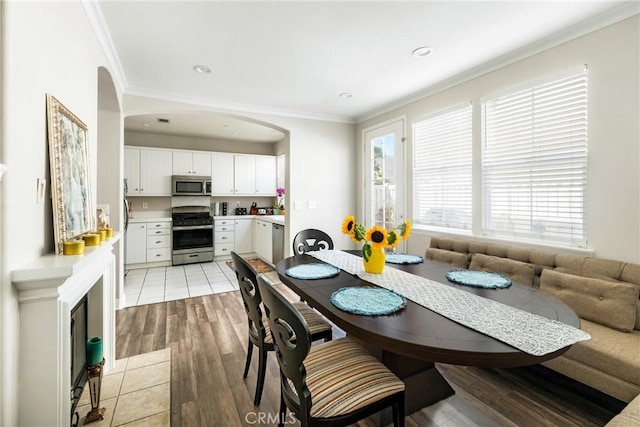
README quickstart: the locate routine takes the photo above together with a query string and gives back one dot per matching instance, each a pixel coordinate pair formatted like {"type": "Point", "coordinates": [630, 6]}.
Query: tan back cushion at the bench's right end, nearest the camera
{"type": "Point", "coordinates": [610, 304]}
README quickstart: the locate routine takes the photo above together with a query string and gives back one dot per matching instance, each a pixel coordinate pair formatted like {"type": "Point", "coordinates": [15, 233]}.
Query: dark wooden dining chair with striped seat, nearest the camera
{"type": "Point", "coordinates": [334, 383]}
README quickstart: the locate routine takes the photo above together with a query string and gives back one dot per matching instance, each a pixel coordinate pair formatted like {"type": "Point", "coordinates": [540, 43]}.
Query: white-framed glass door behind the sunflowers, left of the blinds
{"type": "Point", "coordinates": [385, 175]}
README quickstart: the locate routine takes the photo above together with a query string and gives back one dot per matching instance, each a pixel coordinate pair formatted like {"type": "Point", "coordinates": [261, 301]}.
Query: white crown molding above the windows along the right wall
{"type": "Point", "coordinates": [613, 16]}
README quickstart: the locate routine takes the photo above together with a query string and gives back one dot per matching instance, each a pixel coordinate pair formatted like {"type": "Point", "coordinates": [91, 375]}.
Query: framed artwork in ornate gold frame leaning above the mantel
{"type": "Point", "coordinates": [73, 214]}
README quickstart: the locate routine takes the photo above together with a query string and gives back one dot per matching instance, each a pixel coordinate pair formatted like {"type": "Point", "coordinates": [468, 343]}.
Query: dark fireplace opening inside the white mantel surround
{"type": "Point", "coordinates": [79, 337]}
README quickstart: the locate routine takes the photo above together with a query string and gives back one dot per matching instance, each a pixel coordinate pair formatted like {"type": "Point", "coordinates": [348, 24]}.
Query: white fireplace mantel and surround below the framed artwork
{"type": "Point", "coordinates": [48, 289]}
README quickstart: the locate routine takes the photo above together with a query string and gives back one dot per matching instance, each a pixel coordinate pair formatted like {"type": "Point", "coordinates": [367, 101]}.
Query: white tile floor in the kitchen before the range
{"type": "Point", "coordinates": [159, 284]}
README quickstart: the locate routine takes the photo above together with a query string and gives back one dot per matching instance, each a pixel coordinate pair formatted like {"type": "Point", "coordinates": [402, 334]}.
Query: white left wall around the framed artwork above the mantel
{"type": "Point", "coordinates": [48, 47]}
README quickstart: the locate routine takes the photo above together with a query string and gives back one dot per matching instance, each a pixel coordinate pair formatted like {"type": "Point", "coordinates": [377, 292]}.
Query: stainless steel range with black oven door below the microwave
{"type": "Point", "coordinates": [192, 237]}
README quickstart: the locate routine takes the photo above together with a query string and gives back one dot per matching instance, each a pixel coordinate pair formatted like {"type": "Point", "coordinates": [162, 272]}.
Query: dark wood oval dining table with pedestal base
{"type": "Point", "coordinates": [411, 340]}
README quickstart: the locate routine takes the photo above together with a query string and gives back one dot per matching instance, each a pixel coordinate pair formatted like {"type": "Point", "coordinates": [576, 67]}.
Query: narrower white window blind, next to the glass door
{"type": "Point", "coordinates": [442, 161]}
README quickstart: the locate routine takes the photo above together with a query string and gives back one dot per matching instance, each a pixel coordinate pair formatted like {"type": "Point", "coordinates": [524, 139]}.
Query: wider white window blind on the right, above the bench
{"type": "Point", "coordinates": [534, 161]}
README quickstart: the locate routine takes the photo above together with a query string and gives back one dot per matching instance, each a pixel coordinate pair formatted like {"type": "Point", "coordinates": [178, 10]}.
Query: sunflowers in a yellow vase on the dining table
{"type": "Point", "coordinates": [376, 239]}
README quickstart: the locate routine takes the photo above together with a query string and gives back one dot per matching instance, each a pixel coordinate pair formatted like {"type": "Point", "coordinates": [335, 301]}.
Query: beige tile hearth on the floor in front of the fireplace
{"type": "Point", "coordinates": [136, 392]}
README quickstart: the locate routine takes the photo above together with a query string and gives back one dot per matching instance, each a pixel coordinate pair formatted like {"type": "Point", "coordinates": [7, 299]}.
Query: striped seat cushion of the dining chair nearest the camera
{"type": "Point", "coordinates": [343, 377]}
